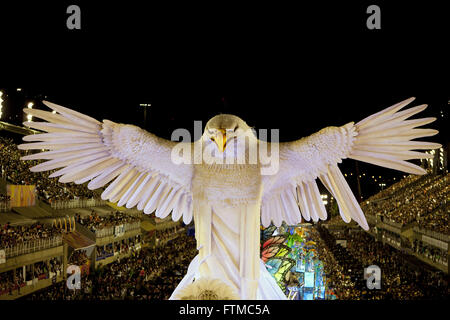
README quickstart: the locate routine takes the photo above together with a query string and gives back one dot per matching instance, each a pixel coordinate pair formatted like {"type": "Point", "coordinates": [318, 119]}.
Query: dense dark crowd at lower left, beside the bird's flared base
{"type": "Point", "coordinates": [146, 275]}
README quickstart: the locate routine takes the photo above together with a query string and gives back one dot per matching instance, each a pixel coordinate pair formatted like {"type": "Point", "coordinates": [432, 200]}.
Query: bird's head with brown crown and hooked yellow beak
{"type": "Point", "coordinates": [224, 129]}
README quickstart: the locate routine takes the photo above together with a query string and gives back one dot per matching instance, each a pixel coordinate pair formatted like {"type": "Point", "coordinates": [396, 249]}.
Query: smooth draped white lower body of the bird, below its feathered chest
{"type": "Point", "coordinates": [229, 251]}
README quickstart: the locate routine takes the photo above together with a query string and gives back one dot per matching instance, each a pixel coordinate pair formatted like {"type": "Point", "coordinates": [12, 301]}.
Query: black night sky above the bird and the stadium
{"type": "Point", "coordinates": [297, 68]}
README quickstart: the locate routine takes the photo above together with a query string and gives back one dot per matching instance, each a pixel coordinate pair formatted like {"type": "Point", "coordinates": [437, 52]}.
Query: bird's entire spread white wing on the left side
{"type": "Point", "coordinates": [137, 163]}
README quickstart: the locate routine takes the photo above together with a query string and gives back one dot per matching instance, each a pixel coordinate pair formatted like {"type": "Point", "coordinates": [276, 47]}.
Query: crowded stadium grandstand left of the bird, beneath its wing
{"type": "Point", "coordinates": [46, 227]}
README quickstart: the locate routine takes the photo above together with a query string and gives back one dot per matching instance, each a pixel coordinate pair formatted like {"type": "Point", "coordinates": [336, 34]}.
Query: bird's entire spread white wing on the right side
{"type": "Point", "coordinates": [382, 139]}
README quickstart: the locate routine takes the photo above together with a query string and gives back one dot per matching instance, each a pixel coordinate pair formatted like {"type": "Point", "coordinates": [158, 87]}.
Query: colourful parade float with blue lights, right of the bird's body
{"type": "Point", "coordinates": [290, 256]}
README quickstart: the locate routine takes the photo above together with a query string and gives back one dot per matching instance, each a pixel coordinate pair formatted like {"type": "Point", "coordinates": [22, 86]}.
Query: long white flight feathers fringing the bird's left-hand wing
{"type": "Point", "coordinates": [85, 150]}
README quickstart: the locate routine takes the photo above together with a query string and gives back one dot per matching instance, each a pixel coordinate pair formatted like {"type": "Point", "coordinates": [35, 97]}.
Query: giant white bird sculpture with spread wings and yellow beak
{"type": "Point", "coordinates": [228, 201]}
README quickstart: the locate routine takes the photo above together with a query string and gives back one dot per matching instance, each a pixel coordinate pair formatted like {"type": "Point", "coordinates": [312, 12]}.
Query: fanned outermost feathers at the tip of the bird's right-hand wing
{"type": "Point", "coordinates": [385, 138]}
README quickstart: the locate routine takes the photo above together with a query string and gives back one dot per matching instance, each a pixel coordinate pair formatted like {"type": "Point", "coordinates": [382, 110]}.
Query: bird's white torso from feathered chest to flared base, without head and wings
{"type": "Point", "coordinates": [227, 207]}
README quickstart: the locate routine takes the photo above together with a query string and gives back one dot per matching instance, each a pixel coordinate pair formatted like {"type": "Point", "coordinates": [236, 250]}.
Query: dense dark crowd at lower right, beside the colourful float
{"type": "Point", "coordinates": [400, 279]}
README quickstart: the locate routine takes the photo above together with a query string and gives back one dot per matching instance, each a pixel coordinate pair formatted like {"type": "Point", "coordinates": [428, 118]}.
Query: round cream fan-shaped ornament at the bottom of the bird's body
{"type": "Point", "coordinates": [207, 289]}
